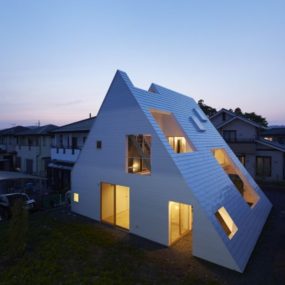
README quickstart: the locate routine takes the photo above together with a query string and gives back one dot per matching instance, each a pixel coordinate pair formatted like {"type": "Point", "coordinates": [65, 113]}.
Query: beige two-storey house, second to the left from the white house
{"type": "Point", "coordinates": [33, 150]}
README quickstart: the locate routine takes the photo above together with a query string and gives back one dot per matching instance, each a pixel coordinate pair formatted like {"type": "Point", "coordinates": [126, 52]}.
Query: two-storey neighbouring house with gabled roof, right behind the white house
{"type": "Point", "coordinates": [264, 159]}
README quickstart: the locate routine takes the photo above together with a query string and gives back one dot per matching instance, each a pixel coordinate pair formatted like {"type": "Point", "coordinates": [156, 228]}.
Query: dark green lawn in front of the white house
{"type": "Point", "coordinates": [67, 249]}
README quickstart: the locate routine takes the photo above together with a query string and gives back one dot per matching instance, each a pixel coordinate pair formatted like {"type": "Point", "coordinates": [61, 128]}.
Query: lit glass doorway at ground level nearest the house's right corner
{"type": "Point", "coordinates": [180, 220]}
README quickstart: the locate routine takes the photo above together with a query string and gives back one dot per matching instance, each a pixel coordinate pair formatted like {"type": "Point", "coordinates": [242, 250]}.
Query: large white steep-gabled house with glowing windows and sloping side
{"type": "Point", "coordinates": [154, 165]}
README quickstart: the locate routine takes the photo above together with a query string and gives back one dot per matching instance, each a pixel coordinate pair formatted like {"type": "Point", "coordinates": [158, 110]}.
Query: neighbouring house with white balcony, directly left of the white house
{"type": "Point", "coordinates": [67, 143]}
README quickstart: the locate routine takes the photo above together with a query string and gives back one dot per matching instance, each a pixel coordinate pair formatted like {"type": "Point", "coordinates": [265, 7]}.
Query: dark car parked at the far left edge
{"type": "Point", "coordinates": [8, 200]}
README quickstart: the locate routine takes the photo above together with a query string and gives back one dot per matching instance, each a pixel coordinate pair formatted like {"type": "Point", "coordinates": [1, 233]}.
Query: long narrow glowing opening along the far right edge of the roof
{"type": "Point", "coordinates": [238, 179]}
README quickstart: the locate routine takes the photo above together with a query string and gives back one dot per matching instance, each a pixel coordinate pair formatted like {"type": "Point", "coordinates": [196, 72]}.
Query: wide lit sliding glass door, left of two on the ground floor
{"type": "Point", "coordinates": [115, 205]}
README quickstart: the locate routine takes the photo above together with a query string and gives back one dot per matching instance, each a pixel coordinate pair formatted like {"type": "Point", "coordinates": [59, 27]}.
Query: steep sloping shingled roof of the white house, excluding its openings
{"type": "Point", "coordinates": [194, 169]}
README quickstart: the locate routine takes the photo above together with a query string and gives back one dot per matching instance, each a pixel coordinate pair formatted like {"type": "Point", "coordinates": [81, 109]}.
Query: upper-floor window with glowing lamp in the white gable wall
{"type": "Point", "coordinates": [139, 152]}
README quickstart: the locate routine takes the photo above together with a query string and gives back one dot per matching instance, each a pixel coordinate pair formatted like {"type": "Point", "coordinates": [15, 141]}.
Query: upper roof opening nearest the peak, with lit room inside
{"type": "Point", "coordinates": [172, 131]}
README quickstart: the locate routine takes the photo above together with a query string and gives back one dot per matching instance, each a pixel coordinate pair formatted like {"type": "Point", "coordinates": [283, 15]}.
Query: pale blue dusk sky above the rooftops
{"type": "Point", "coordinates": [57, 58]}
